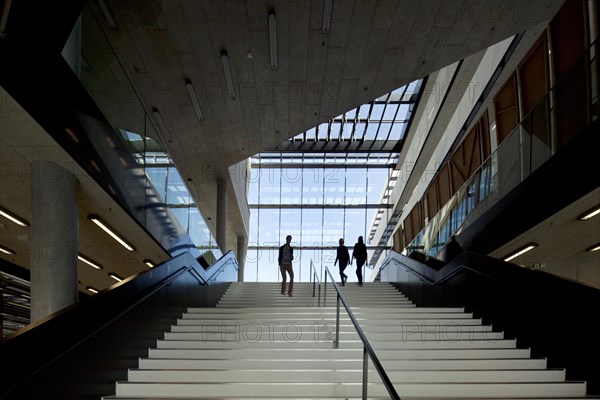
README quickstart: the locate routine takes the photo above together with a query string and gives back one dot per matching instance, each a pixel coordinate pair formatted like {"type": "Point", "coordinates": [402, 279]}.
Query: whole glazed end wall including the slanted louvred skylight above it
{"type": "Point", "coordinates": [330, 182]}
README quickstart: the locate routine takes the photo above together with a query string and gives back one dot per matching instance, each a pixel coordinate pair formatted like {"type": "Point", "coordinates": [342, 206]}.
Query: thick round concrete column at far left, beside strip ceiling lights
{"type": "Point", "coordinates": [54, 225]}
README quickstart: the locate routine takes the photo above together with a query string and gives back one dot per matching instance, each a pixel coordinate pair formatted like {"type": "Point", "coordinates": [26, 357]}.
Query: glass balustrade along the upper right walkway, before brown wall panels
{"type": "Point", "coordinates": [566, 109]}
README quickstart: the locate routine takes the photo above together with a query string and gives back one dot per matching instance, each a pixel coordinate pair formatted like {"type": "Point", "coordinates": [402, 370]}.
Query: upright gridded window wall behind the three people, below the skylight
{"type": "Point", "coordinates": [316, 201]}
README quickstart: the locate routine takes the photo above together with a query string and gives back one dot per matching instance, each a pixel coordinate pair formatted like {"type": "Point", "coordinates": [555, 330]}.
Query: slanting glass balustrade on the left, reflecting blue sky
{"type": "Point", "coordinates": [133, 151]}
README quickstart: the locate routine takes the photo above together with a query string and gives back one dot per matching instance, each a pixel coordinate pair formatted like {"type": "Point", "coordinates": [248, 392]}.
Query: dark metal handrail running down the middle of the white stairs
{"type": "Point", "coordinates": [367, 349]}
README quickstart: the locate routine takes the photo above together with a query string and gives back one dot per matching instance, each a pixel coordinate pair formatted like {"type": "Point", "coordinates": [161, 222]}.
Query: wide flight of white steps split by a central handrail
{"type": "Point", "coordinates": [259, 344]}
